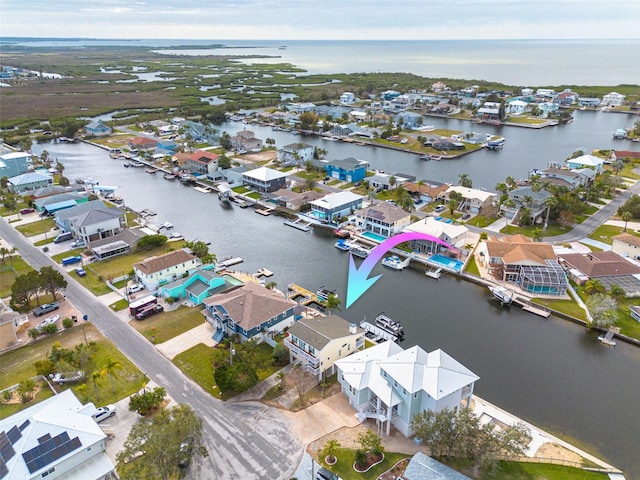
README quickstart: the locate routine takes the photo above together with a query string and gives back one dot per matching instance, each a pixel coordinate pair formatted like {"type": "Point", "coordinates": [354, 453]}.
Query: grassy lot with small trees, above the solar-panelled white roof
{"type": "Point", "coordinates": [17, 365]}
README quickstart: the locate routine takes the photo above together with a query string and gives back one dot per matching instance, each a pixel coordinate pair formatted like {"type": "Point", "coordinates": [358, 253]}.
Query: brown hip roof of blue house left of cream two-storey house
{"type": "Point", "coordinates": [251, 304]}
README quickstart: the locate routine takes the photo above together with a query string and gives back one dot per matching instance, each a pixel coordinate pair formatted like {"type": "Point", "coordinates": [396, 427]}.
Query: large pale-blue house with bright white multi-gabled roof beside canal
{"type": "Point", "coordinates": [392, 385]}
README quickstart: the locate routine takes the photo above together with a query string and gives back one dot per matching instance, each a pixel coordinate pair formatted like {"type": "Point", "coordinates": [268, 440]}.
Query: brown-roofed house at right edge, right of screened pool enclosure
{"type": "Point", "coordinates": [607, 267]}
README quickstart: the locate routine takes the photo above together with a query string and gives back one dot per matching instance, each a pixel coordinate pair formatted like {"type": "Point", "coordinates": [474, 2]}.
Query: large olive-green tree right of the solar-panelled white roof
{"type": "Point", "coordinates": [160, 440]}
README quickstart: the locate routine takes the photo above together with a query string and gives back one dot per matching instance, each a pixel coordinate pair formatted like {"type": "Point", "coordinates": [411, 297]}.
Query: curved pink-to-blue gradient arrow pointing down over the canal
{"type": "Point", "coordinates": [358, 280]}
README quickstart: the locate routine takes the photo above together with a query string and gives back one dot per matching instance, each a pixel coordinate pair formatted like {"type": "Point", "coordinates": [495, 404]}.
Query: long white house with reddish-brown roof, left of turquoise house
{"type": "Point", "coordinates": [159, 270]}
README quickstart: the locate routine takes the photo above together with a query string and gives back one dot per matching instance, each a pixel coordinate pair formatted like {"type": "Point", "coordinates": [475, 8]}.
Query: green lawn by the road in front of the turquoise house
{"type": "Point", "coordinates": [167, 325]}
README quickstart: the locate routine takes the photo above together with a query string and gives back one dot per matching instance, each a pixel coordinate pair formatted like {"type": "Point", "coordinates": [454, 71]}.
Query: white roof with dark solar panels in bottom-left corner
{"type": "Point", "coordinates": [55, 416]}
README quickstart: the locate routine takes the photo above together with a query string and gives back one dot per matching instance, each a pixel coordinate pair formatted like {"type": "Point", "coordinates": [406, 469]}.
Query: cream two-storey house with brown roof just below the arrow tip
{"type": "Point", "coordinates": [318, 342]}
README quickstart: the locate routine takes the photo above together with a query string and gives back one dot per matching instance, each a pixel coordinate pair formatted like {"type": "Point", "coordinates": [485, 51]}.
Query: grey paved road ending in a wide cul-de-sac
{"type": "Point", "coordinates": [245, 441]}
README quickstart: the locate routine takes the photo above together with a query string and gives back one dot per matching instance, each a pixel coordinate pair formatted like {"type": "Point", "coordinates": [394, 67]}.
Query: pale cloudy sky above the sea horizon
{"type": "Point", "coordinates": [322, 19]}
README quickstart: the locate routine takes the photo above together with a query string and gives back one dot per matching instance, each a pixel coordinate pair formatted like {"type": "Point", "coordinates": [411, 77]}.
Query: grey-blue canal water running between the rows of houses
{"type": "Point", "coordinates": [548, 371]}
